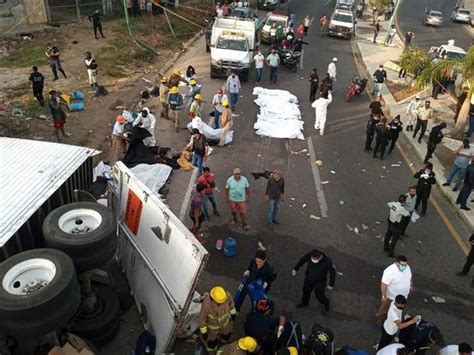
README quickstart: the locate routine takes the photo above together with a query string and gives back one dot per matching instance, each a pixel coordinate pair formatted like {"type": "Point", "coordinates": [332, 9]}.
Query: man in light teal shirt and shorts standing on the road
{"type": "Point", "coordinates": [237, 195]}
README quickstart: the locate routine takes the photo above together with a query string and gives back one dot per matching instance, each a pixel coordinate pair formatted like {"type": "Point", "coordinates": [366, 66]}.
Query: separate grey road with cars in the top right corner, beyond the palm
{"type": "Point", "coordinates": [410, 17]}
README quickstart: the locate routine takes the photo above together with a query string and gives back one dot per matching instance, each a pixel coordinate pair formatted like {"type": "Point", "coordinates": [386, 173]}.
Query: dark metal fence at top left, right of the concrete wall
{"type": "Point", "coordinates": [63, 11]}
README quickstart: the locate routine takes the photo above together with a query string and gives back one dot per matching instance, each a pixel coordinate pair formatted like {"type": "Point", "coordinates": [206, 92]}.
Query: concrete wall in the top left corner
{"type": "Point", "coordinates": [20, 13]}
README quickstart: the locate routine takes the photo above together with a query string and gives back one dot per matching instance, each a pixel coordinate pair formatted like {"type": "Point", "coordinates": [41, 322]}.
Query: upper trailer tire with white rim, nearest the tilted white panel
{"type": "Point", "coordinates": [81, 230]}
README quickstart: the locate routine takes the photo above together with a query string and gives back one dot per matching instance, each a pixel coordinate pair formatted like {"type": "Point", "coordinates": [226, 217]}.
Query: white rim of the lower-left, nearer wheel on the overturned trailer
{"type": "Point", "coordinates": [29, 276]}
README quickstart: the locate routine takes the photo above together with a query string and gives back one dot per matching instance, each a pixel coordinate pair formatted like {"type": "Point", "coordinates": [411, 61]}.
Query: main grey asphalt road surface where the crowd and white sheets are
{"type": "Point", "coordinates": [364, 185]}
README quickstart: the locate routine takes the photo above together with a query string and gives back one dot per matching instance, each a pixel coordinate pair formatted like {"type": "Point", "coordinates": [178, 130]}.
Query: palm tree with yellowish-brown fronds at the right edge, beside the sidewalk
{"type": "Point", "coordinates": [462, 69]}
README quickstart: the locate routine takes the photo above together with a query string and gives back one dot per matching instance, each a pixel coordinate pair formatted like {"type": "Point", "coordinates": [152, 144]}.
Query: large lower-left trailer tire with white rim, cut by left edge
{"type": "Point", "coordinates": [39, 292]}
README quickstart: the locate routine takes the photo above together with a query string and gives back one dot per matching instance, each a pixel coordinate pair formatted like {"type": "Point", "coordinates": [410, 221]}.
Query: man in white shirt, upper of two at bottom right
{"type": "Point", "coordinates": [396, 280]}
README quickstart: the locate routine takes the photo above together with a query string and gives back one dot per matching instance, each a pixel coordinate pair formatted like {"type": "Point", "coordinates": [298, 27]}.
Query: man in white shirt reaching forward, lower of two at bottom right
{"type": "Point", "coordinates": [394, 321]}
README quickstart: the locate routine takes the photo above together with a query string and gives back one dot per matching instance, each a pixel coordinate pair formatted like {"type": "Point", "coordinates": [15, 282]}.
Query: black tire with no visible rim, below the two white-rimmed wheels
{"type": "Point", "coordinates": [102, 324]}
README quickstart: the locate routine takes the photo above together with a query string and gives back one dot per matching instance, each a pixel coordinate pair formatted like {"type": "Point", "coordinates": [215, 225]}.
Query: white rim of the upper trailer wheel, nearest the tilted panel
{"type": "Point", "coordinates": [80, 221]}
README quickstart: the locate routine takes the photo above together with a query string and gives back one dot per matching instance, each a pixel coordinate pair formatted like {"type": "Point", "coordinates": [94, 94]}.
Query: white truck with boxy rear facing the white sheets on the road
{"type": "Point", "coordinates": [232, 45]}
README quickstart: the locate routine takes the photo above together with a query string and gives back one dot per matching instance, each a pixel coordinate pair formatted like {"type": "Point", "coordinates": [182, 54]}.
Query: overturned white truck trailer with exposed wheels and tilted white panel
{"type": "Point", "coordinates": [50, 244]}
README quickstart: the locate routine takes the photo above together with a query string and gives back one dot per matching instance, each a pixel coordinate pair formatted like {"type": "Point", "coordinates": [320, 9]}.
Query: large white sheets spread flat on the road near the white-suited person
{"type": "Point", "coordinates": [279, 116]}
